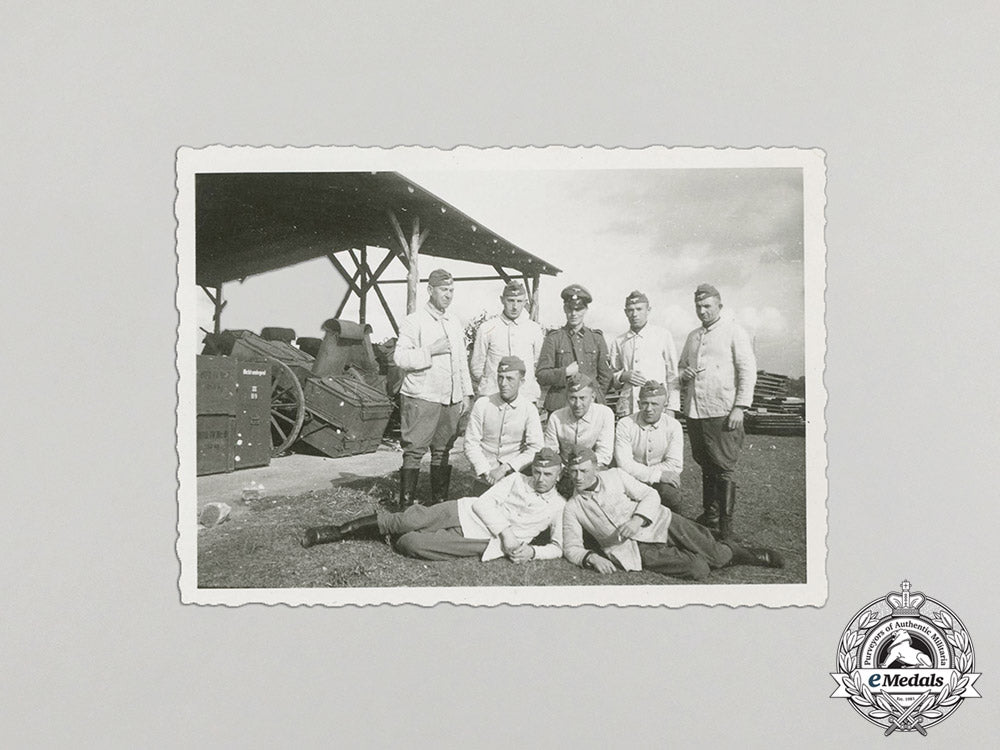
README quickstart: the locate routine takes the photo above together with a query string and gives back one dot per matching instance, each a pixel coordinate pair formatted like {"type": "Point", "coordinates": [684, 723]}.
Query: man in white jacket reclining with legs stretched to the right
{"type": "Point", "coordinates": [635, 532]}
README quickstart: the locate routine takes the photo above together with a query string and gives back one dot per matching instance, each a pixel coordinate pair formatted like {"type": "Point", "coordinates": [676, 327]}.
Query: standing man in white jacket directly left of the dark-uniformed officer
{"type": "Point", "coordinates": [511, 333]}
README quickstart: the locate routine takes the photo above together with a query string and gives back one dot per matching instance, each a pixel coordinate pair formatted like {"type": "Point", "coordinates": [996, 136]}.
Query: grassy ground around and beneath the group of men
{"type": "Point", "coordinates": [260, 548]}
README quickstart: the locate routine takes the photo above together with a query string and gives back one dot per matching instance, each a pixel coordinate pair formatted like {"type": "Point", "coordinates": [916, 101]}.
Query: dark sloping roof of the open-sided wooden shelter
{"type": "Point", "coordinates": [251, 223]}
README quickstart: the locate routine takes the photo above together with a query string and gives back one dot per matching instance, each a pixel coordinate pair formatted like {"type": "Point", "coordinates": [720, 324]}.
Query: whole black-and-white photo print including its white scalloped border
{"type": "Point", "coordinates": [549, 376]}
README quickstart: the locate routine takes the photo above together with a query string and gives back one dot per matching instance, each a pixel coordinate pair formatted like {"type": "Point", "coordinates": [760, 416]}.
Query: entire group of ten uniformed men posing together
{"type": "Point", "coordinates": [602, 492]}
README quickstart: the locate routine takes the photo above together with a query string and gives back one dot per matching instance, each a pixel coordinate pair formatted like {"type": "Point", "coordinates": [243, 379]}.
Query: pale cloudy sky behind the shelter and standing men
{"type": "Point", "coordinates": [663, 231]}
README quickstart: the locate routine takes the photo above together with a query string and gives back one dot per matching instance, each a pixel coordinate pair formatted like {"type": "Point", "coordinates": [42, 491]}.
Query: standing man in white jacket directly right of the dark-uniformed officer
{"type": "Point", "coordinates": [644, 352]}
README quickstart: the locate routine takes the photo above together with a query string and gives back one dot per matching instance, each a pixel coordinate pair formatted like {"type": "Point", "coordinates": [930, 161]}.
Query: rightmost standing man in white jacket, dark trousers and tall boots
{"type": "Point", "coordinates": [718, 372]}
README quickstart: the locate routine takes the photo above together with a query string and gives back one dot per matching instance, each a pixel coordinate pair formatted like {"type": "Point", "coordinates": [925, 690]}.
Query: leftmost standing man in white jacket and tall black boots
{"type": "Point", "coordinates": [436, 391]}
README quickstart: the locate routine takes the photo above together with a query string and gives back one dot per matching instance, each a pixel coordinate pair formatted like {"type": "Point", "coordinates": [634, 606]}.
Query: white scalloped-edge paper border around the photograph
{"type": "Point", "coordinates": [218, 158]}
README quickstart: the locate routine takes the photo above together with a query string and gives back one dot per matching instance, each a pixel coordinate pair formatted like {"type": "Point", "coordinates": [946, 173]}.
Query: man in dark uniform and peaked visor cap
{"type": "Point", "coordinates": [571, 349]}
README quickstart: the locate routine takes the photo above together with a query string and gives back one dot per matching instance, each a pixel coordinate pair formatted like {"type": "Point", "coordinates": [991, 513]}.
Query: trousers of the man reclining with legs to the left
{"type": "Point", "coordinates": [430, 533]}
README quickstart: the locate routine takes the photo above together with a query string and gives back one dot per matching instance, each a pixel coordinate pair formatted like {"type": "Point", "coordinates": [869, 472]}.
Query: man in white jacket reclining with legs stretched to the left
{"type": "Point", "coordinates": [508, 520]}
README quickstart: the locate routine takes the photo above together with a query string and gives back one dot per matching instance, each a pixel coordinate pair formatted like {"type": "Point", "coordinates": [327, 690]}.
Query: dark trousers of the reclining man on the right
{"type": "Point", "coordinates": [690, 552]}
